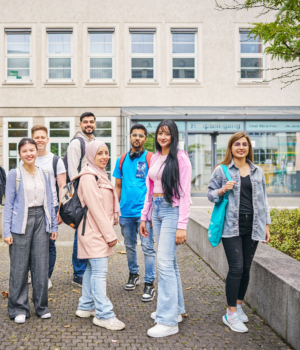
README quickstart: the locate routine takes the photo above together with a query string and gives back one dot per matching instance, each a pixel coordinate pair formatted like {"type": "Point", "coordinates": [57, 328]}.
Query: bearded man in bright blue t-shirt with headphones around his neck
{"type": "Point", "coordinates": [130, 172]}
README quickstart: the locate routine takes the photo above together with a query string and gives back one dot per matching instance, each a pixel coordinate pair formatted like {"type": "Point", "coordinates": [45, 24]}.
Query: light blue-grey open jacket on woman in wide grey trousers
{"type": "Point", "coordinates": [15, 218]}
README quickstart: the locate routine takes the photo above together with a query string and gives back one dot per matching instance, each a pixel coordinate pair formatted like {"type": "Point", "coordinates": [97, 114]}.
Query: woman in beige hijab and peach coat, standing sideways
{"type": "Point", "coordinates": [98, 194]}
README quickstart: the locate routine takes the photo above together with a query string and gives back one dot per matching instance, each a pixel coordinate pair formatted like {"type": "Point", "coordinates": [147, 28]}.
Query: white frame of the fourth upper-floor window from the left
{"type": "Point", "coordinates": [139, 55]}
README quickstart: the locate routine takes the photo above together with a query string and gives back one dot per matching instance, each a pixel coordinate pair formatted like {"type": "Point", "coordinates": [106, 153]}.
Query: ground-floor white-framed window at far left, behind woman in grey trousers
{"type": "Point", "coordinates": [14, 130]}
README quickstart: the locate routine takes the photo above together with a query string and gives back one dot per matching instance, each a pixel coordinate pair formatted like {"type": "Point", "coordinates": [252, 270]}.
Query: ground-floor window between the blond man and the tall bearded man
{"type": "Point", "coordinates": [61, 131]}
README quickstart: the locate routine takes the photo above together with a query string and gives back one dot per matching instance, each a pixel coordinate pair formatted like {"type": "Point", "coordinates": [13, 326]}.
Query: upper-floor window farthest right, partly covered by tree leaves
{"type": "Point", "coordinates": [251, 56]}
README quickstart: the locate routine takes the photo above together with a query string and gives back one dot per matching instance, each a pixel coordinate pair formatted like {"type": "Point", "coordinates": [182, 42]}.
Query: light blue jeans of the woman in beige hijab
{"type": "Point", "coordinates": [94, 289]}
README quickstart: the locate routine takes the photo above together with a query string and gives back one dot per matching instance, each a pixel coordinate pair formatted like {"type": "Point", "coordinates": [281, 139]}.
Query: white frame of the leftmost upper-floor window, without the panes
{"type": "Point", "coordinates": [7, 55]}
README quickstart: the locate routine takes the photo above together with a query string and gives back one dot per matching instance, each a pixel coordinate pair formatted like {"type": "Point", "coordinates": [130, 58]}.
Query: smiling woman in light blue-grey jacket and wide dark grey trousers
{"type": "Point", "coordinates": [29, 218]}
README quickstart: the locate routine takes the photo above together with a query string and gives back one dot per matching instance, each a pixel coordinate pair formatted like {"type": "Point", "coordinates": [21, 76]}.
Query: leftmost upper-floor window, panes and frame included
{"type": "Point", "coordinates": [18, 55]}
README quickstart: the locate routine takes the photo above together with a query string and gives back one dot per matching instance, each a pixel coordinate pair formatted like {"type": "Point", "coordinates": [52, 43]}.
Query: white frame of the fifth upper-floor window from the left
{"type": "Point", "coordinates": [185, 55]}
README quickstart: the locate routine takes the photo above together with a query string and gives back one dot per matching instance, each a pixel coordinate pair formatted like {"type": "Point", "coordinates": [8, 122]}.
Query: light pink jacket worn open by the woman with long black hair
{"type": "Point", "coordinates": [185, 175]}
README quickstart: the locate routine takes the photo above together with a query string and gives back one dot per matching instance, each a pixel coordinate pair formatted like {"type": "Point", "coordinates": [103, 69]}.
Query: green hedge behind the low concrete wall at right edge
{"type": "Point", "coordinates": [285, 231]}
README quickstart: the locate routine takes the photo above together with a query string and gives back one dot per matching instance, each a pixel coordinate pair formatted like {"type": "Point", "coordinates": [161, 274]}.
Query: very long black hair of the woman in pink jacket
{"type": "Point", "coordinates": [170, 177]}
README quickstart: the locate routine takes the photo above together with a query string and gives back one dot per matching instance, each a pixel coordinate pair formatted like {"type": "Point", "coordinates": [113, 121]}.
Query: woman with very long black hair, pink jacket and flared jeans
{"type": "Point", "coordinates": [168, 196]}
